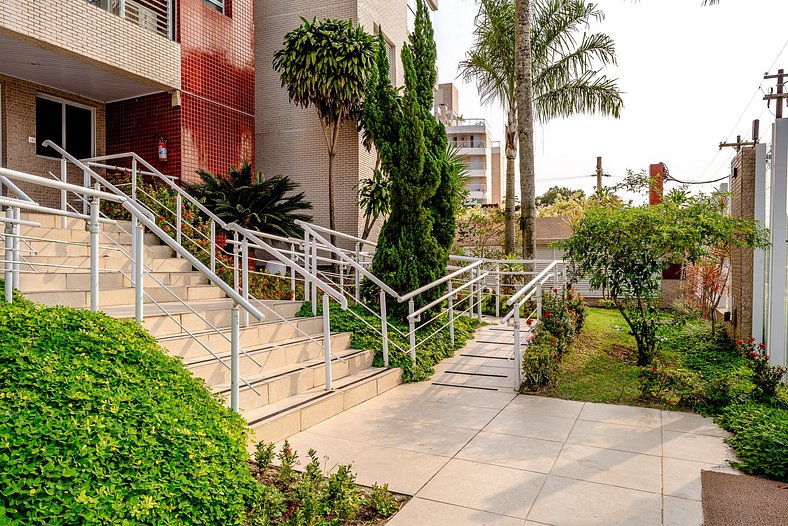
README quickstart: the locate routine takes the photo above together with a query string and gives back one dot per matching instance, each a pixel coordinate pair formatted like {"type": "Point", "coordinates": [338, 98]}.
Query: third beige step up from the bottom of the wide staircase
{"type": "Point", "coordinates": [266, 358]}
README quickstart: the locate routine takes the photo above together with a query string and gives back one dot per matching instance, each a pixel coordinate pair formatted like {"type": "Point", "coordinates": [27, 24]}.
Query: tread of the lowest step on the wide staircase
{"type": "Point", "coordinates": [301, 400]}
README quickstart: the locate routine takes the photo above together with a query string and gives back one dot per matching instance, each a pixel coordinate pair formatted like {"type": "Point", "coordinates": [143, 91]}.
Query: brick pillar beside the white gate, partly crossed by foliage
{"type": "Point", "coordinates": [742, 205]}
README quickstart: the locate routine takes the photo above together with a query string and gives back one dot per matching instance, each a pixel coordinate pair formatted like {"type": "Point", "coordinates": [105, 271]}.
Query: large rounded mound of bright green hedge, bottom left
{"type": "Point", "coordinates": [99, 426]}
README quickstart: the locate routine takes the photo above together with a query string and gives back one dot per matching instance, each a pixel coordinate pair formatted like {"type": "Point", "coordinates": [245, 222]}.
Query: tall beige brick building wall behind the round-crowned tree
{"type": "Point", "coordinates": [289, 140]}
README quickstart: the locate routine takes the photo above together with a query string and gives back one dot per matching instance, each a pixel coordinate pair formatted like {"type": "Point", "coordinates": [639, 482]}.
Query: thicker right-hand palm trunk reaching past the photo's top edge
{"type": "Point", "coordinates": [525, 126]}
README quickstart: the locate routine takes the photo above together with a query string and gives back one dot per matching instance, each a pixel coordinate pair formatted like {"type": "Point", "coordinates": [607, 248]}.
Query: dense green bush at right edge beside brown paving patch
{"type": "Point", "coordinates": [760, 438]}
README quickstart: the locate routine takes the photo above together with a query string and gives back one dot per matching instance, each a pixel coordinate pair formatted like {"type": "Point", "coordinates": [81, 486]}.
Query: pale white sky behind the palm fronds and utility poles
{"type": "Point", "coordinates": [691, 77]}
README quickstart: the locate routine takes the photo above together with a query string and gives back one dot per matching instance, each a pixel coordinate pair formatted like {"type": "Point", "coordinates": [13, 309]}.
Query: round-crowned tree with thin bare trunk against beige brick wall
{"type": "Point", "coordinates": [325, 64]}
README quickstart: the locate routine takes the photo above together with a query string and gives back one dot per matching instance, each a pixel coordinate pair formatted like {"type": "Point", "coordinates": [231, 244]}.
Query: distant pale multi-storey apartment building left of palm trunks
{"type": "Point", "coordinates": [473, 140]}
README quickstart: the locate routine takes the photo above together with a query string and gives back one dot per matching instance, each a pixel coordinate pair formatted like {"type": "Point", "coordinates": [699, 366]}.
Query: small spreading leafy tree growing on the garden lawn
{"type": "Point", "coordinates": [623, 249]}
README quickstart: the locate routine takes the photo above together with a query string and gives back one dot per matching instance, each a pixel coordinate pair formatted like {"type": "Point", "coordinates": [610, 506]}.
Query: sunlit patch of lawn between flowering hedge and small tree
{"type": "Point", "coordinates": [601, 364]}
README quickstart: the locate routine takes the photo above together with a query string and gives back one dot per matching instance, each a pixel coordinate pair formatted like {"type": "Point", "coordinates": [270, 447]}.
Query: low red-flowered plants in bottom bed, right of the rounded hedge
{"type": "Point", "coordinates": [305, 494]}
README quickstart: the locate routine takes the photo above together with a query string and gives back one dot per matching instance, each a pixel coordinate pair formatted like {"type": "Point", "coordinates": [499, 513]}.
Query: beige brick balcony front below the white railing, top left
{"type": "Point", "coordinates": [90, 34]}
